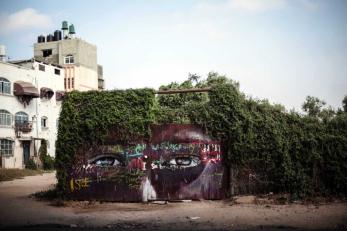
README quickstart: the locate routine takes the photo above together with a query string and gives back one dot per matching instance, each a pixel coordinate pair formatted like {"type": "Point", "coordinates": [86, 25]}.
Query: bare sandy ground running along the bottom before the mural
{"type": "Point", "coordinates": [17, 208]}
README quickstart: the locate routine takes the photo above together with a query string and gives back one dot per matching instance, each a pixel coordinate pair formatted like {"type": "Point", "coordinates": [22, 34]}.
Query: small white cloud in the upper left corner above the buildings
{"type": "Point", "coordinates": [24, 19]}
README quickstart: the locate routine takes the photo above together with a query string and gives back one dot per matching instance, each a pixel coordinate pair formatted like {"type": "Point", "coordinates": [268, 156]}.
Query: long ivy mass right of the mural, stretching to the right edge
{"type": "Point", "coordinates": [267, 147]}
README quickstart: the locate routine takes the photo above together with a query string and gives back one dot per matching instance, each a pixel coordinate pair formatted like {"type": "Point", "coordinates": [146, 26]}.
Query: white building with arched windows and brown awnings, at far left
{"type": "Point", "coordinates": [31, 94]}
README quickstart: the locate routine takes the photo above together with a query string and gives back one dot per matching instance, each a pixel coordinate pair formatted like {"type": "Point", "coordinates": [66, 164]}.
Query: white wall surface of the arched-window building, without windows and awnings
{"type": "Point", "coordinates": [35, 110]}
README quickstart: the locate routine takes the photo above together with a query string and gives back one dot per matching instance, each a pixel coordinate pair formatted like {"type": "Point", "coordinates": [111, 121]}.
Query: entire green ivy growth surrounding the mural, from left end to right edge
{"type": "Point", "coordinates": [268, 149]}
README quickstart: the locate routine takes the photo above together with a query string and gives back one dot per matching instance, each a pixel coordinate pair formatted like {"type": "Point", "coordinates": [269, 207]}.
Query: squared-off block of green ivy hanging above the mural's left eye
{"type": "Point", "coordinates": [87, 117]}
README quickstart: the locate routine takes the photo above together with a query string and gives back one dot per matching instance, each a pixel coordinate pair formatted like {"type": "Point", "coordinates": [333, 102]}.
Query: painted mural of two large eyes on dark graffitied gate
{"type": "Point", "coordinates": [178, 162]}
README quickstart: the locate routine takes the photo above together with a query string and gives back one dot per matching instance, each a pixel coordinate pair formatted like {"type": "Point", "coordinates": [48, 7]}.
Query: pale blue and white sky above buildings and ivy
{"type": "Point", "coordinates": [280, 50]}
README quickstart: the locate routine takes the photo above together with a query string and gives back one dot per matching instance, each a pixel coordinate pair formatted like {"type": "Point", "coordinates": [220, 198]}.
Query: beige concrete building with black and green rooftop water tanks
{"type": "Point", "coordinates": [76, 56]}
